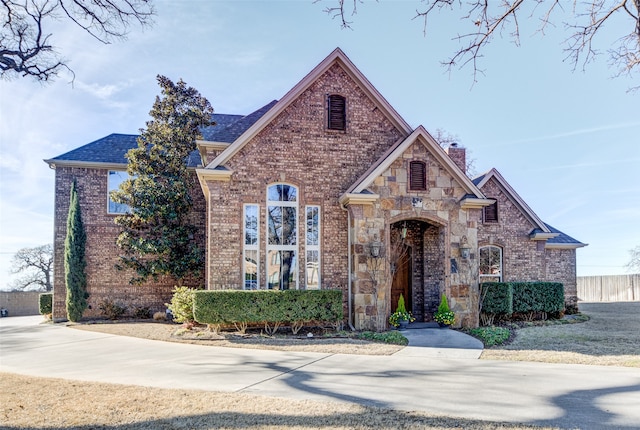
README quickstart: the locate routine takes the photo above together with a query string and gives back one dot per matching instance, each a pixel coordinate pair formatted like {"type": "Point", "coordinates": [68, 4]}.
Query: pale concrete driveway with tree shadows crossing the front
{"type": "Point", "coordinates": [568, 396]}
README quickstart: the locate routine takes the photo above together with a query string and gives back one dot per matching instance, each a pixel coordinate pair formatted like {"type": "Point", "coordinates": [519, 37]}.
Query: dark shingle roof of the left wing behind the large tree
{"type": "Point", "coordinates": [113, 148]}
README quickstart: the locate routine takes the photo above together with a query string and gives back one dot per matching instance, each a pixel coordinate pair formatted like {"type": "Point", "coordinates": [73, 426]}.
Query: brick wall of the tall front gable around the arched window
{"type": "Point", "coordinates": [297, 149]}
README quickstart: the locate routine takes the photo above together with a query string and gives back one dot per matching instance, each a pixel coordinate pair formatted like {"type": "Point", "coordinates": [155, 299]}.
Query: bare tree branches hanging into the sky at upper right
{"type": "Point", "coordinates": [481, 20]}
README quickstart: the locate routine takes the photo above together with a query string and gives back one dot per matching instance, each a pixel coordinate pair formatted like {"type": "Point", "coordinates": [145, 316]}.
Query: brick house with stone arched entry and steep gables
{"type": "Point", "coordinates": [327, 187]}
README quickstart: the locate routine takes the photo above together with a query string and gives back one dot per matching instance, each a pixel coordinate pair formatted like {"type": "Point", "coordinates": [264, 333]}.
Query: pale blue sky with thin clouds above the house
{"type": "Point", "coordinates": [568, 142]}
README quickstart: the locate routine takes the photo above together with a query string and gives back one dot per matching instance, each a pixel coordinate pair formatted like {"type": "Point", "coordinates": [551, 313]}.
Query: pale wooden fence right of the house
{"type": "Point", "coordinates": [614, 288]}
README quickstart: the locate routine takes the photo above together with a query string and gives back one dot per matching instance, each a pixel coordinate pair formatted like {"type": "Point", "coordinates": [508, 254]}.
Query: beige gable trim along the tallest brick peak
{"type": "Point", "coordinates": [336, 57]}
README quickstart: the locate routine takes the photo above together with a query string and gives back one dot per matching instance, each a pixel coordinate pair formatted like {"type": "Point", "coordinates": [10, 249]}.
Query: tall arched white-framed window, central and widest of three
{"type": "Point", "coordinates": [282, 237]}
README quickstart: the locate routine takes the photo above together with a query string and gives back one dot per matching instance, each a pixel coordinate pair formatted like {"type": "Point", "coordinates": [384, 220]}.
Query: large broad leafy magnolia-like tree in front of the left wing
{"type": "Point", "coordinates": [157, 238]}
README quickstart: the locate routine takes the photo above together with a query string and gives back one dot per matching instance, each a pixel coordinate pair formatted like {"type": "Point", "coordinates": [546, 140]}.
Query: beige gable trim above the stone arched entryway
{"type": "Point", "coordinates": [420, 134]}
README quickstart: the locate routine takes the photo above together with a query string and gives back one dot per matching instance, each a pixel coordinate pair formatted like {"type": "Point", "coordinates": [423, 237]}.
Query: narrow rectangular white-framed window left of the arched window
{"type": "Point", "coordinates": [250, 251]}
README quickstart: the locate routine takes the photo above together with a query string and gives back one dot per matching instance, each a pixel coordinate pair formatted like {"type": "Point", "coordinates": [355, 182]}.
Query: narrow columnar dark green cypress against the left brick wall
{"type": "Point", "coordinates": [74, 260]}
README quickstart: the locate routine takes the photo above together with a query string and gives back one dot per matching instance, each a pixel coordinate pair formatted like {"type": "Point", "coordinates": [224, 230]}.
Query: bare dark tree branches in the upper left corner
{"type": "Point", "coordinates": [26, 48]}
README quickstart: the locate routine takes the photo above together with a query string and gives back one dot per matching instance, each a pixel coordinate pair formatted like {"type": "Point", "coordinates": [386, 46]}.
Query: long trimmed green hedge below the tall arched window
{"type": "Point", "coordinates": [267, 306]}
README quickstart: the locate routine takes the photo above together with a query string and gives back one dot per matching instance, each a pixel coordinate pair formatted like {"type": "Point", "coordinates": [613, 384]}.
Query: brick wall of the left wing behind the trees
{"type": "Point", "coordinates": [103, 280]}
